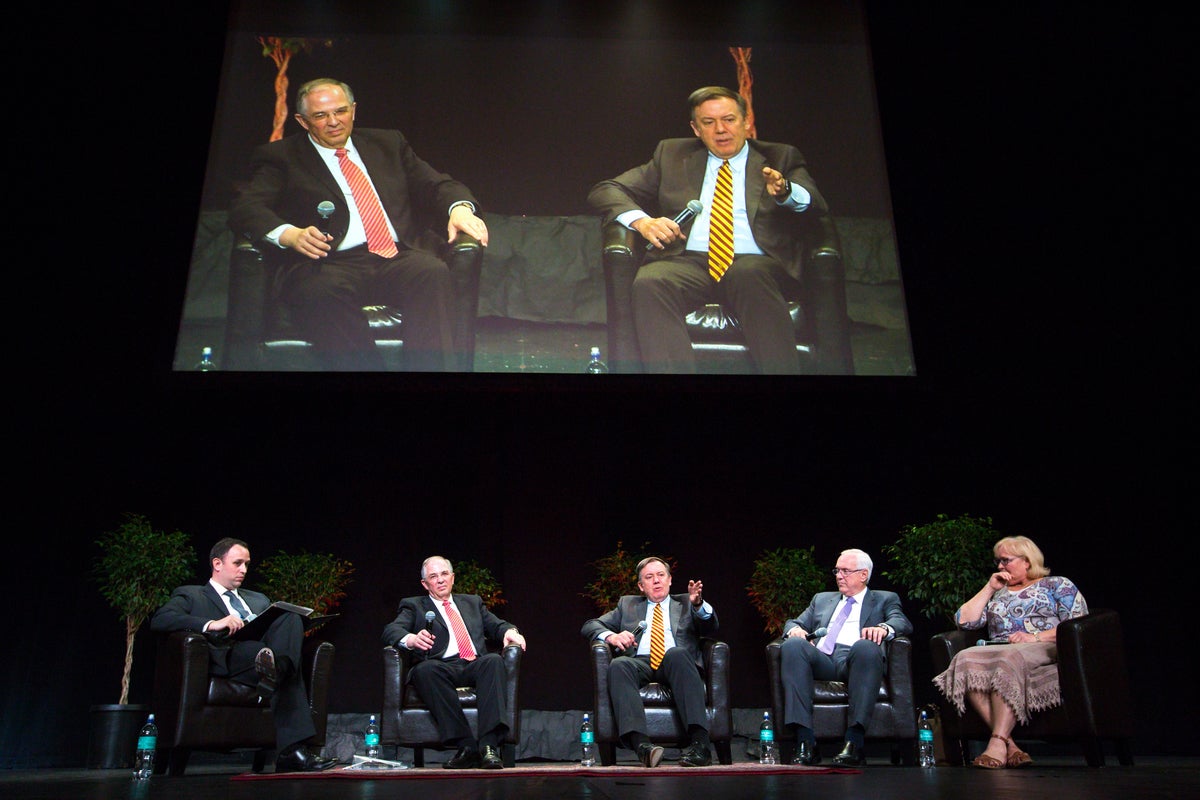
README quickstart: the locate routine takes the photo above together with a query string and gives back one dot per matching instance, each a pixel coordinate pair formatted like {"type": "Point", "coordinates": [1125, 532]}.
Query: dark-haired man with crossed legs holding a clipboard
{"type": "Point", "coordinates": [219, 610]}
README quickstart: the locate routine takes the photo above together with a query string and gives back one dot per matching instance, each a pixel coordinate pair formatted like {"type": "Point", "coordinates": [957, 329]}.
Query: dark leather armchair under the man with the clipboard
{"type": "Point", "coordinates": [196, 711]}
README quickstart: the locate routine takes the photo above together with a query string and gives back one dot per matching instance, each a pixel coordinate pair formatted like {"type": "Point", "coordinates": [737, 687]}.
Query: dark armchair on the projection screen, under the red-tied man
{"type": "Point", "coordinates": [260, 334]}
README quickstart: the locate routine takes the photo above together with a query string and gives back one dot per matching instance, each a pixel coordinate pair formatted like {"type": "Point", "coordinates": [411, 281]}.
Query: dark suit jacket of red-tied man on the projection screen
{"type": "Point", "coordinates": [290, 181]}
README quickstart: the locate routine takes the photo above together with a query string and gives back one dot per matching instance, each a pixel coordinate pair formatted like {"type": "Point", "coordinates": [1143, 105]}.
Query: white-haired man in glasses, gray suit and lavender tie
{"type": "Point", "coordinates": [856, 623]}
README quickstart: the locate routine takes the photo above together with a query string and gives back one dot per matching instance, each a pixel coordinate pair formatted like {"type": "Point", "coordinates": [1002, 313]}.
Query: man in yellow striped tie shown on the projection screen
{"type": "Point", "coordinates": [775, 196]}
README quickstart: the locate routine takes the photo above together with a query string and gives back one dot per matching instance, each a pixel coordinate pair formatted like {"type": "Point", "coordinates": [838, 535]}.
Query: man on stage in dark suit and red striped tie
{"type": "Point", "coordinates": [451, 651]}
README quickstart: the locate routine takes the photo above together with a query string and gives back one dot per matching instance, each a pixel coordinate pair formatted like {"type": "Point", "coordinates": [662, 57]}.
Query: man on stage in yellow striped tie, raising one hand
{"type": "Point", "coordinates": [674, 659]}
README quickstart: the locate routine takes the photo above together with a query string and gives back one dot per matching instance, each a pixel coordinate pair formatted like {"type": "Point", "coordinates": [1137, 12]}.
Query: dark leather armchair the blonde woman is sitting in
{"type": "Point", "coordinates": [1095, 683]}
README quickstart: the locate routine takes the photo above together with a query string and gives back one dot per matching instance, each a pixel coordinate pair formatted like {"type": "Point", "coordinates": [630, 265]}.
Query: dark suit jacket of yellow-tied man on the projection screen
{"type": "Point", "coordinates": [675, 176]}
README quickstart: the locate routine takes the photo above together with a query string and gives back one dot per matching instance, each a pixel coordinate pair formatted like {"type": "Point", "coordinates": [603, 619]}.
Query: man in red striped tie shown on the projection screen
{"type": "Point", "coordinates": [326, 270]}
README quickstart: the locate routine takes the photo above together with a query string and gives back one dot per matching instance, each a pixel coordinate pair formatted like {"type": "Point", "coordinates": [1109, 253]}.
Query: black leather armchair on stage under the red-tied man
{"type": "Point", "coordinates": [409, 723]}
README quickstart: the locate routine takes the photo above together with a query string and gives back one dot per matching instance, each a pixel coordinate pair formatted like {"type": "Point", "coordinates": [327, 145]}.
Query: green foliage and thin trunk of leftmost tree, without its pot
{"type": "Point", "coordinates": [137, 570]}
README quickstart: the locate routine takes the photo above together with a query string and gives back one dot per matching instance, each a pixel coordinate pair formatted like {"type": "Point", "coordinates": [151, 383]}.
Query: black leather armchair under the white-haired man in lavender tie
{"type": "Point", "coordinates": [896, 714]}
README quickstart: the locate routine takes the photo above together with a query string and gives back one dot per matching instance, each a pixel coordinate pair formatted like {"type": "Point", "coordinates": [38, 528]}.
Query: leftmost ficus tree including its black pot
{"type": "Point", "coordinates": [136, 572]}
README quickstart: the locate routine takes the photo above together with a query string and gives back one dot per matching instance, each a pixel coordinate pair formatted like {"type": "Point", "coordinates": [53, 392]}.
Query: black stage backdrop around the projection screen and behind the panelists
{"type": "Point", "coordinates": [1027, 154]}
